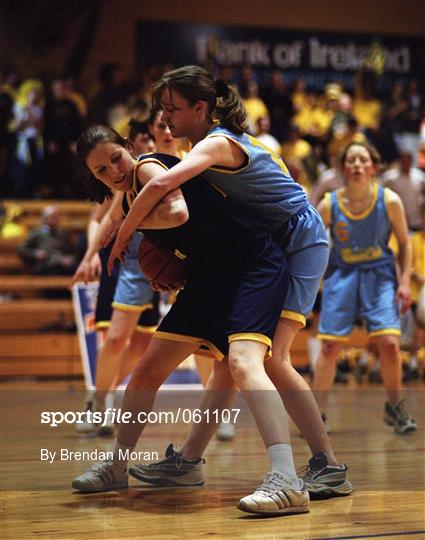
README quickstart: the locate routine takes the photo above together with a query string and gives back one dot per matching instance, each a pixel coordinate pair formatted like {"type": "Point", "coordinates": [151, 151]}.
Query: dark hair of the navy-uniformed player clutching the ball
{"type": "Point", "coordinates": [87, 141]}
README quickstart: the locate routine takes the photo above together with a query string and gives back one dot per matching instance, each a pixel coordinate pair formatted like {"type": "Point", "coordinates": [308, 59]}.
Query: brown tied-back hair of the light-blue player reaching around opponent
{"type": "Point", "coordinates": [197, 84]}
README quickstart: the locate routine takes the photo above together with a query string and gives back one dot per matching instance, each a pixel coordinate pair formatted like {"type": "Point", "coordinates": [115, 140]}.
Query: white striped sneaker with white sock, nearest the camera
{"type": "Point", "coordinates": [275, 497]}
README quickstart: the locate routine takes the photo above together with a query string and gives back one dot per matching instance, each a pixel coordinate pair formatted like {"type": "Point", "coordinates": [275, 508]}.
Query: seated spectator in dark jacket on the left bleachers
{"type": "Point", "coordinates": [48, 250]}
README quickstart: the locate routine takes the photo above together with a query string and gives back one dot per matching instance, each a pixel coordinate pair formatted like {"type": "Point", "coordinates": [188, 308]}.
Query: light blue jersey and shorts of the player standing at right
{"type": "Point", "coordinates": [361, 279]}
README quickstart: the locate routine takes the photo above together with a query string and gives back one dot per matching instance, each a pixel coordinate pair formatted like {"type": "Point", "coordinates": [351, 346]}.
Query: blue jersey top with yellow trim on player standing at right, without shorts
{"type": "Point", "coordinates": [360, 239]}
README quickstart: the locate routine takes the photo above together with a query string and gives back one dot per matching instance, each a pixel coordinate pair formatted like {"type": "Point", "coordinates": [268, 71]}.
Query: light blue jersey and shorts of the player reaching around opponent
{"type": "Point", "coordinates": [264, 188]}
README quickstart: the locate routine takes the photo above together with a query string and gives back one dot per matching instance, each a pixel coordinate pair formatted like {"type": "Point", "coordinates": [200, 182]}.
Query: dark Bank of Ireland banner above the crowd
{"type": "Point", "coordinates": [318, 57]}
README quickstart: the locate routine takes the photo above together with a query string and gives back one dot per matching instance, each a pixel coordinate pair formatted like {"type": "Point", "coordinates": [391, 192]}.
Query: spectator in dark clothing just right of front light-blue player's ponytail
{"type": "Point", "coordinates": [279, 104]}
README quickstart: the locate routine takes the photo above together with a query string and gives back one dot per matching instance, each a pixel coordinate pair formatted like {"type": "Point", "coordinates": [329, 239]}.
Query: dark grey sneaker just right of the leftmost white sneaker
{"type": "Point", "coordinates": [174, 470]}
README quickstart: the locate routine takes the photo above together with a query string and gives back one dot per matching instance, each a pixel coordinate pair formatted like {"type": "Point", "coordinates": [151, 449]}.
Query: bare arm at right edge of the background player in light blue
{"type": "Point", "coordinates": [398, 222]}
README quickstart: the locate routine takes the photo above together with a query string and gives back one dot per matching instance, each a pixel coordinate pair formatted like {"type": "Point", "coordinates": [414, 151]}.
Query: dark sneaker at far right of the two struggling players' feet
{"type": "Point", "coordinates": [323, 480]}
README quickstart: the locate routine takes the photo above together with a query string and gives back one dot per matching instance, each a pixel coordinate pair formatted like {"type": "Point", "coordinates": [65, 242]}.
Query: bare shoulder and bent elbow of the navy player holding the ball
{"type": "Point", "coordinates": [171, 211]}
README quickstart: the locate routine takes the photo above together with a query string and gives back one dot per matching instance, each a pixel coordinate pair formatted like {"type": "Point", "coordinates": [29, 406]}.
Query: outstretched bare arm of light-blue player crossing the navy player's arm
{"type": "Point", "coordinates": [203, 155]}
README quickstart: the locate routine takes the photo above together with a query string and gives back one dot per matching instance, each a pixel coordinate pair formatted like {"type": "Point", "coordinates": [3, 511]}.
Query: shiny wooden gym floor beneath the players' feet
{"type": "Point", "coordinates": [387, 471]}
